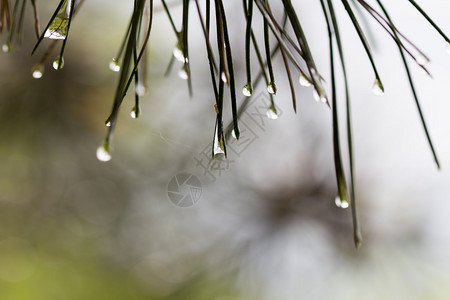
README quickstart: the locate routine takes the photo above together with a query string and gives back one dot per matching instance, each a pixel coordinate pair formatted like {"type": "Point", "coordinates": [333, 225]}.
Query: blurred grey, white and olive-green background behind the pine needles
{"type": "Point", "coordinates": [265, 225]}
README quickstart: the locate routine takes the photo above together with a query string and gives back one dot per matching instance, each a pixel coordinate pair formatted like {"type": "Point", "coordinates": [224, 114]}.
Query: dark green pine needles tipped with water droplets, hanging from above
{"type": "Point", "coordinates": [282, 34]}
